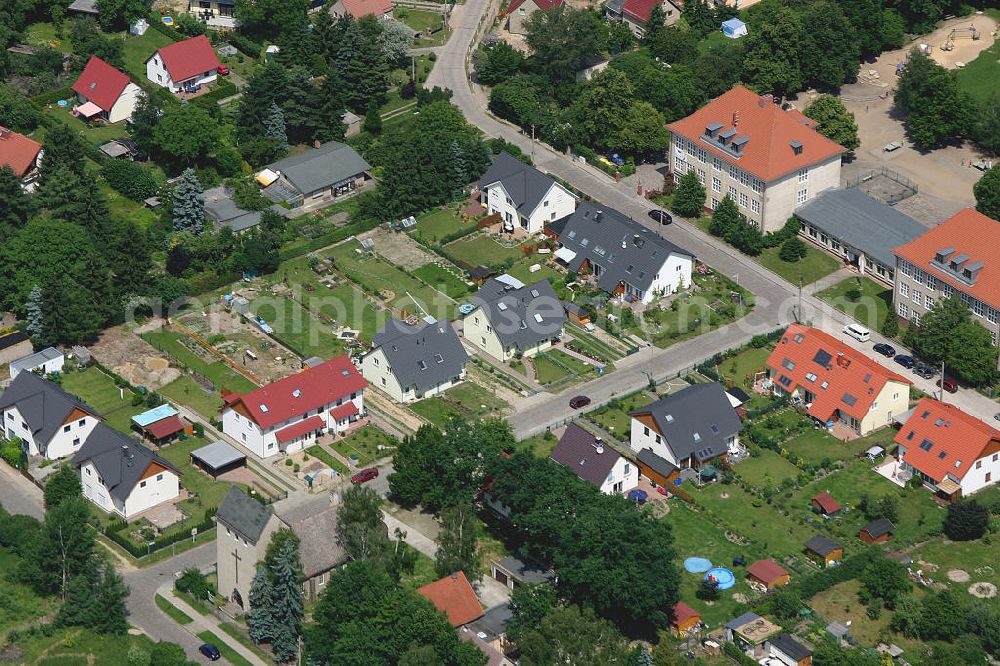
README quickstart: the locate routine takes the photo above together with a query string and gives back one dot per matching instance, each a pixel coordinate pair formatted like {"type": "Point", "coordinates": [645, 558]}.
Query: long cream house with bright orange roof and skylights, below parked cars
{"type": "Point", "coordinates": [836, 383]}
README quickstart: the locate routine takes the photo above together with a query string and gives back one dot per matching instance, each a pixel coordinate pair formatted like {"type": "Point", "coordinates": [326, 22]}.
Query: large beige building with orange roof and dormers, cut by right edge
{"type": "Point", "coordinates": [959, 256]}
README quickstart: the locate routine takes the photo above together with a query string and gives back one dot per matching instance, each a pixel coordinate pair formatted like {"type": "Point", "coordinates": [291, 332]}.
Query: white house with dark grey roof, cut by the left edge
{"type": "Point", "coordinates": [51, 422]}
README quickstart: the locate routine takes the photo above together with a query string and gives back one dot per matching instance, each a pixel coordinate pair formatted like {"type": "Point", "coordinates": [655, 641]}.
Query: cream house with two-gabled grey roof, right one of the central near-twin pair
{"type": "Point", "coordinates": [511, 319]}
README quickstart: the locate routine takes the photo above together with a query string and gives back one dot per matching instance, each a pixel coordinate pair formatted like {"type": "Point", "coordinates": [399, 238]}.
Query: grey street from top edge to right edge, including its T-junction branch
{"type": "Point", "coordinates": [777, 300]}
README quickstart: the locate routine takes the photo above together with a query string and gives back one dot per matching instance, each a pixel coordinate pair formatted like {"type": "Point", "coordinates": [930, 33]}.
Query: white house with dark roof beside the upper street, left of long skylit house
{"type": "Point", "coordinates": [524, 197]}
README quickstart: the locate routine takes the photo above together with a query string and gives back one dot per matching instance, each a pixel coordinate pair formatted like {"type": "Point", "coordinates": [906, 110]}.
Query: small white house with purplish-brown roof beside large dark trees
{"type": "Point", "coordinates": [593, 461]}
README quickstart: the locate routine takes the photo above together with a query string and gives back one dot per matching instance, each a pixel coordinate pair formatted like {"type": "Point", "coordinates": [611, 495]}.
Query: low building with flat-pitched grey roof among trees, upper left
{"type": "Point", "coordinates": [326, 173]}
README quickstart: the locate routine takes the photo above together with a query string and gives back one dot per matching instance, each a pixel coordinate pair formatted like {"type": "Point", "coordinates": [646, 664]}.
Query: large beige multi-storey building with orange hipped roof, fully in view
{"type": "Point", "coordinates": [768, 160]}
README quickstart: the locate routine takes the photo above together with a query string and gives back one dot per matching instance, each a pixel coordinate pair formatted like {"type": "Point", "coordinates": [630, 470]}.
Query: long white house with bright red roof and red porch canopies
{"type": "Point", "coordinates": [288, 415]}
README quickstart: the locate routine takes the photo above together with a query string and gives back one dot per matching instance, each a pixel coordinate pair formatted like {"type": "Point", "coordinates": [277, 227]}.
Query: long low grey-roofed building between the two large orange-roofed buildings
{"type": "Point", "coordinates": [858, 230]}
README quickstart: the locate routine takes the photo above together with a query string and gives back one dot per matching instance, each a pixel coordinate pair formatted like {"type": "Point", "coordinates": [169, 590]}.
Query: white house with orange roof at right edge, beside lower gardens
{"type": "Point", "coordinates": [954, 452]}
